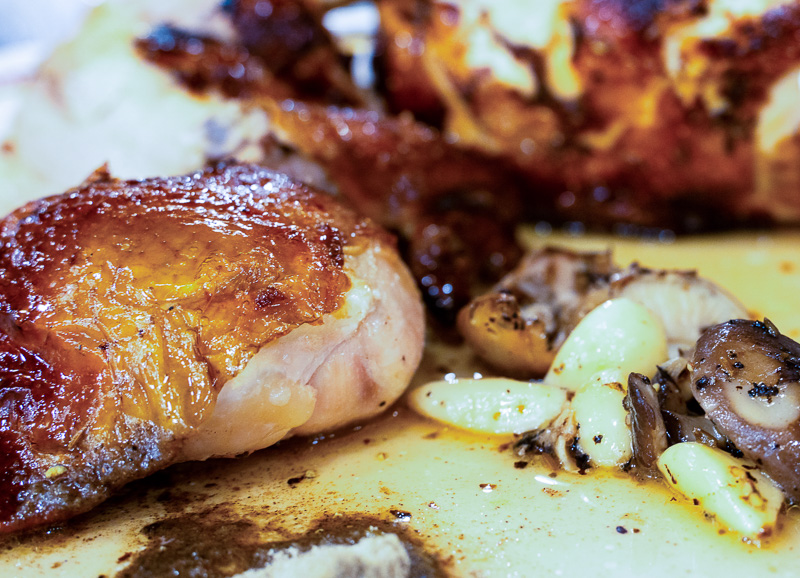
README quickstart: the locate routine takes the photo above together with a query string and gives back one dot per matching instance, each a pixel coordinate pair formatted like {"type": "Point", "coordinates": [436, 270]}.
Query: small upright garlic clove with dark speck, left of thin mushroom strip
{"type": "Point", "coordinates": [604, 433]}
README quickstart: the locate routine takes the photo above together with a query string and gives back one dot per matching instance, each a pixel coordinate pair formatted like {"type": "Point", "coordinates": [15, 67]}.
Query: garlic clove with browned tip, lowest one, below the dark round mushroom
{"type": "Point", "coordinates": [730, 489]}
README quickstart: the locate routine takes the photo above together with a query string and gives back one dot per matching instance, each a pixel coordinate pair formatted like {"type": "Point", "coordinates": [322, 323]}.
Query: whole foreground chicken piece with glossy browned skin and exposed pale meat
{"type": "Point", "coordinates": [148, 322]}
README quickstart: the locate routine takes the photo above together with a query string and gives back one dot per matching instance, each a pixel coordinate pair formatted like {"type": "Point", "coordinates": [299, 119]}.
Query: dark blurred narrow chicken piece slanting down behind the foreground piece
{"type": "Point", "coordinates": [397, 171]}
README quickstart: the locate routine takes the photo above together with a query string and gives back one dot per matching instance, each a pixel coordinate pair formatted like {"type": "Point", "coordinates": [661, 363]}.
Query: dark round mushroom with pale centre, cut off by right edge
{"type": "Point", "coordinates": [745, 377]}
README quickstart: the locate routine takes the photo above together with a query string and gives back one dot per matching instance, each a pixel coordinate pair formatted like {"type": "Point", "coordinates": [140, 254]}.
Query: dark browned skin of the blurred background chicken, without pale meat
{"type": "Point", "coordinates": [628, 149]}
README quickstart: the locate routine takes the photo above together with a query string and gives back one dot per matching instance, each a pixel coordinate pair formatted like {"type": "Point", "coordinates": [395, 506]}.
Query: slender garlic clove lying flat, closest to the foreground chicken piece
{"type": "Point", "coordinates": [494, 406]}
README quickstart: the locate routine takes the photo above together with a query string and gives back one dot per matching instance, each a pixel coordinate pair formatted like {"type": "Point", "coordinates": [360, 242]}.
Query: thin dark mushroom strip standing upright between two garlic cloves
{"type": "Point", "coordinates": [649, 432]}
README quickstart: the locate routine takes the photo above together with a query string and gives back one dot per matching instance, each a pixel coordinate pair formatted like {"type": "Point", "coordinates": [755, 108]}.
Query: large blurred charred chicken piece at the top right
{"type": "Point", "coordinates": [613, 110]}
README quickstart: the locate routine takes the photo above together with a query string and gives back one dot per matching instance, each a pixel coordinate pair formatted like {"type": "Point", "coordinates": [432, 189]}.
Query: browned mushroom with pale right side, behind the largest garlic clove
{"type": "Point", "coordinates": [521, 324]}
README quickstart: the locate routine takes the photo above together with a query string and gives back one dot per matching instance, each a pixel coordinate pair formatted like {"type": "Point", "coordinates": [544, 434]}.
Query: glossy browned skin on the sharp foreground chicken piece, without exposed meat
{"type": "Point", "coordinates": [126, 306]}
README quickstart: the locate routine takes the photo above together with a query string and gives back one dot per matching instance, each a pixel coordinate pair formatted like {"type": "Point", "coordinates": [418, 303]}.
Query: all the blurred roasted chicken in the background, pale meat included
{"type": "Point", "coordinates": [622, 115]}
